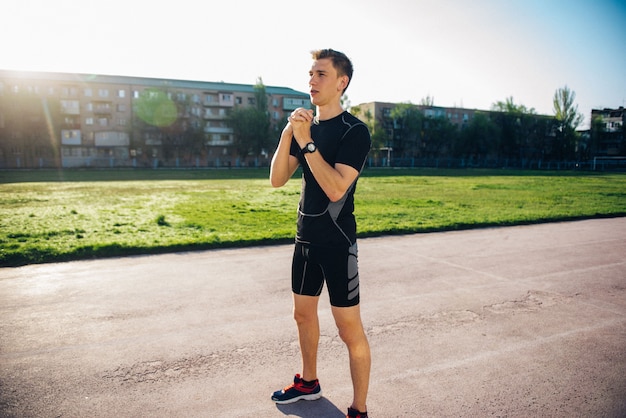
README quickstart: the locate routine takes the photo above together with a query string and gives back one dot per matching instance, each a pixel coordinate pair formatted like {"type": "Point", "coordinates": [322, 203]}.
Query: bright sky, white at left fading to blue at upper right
{"type": "Point", "coordinates": [461, 53]}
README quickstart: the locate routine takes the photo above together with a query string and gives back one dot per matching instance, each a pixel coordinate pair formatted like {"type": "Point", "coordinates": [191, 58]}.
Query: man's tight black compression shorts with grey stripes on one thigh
{"type": "Point", "coordinates": [338, 267]}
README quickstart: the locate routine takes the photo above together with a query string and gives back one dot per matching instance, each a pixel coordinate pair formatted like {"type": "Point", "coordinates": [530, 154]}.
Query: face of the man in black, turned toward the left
{"type": "Point", "coordinates": [325, 85]}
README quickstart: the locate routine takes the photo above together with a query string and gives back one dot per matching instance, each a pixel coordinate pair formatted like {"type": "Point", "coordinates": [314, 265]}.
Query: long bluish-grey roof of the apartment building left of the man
{"type": "Point", "coordinates": [146, 81]}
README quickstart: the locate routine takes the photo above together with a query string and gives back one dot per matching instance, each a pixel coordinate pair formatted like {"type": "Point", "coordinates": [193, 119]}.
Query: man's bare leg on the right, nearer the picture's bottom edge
{"type": "Point", "coordinates": [351, 331]}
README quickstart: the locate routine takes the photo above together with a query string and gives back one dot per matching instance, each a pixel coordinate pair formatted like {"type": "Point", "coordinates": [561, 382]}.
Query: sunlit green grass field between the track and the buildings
{"type": "Point", "coordinates": [50, 216]}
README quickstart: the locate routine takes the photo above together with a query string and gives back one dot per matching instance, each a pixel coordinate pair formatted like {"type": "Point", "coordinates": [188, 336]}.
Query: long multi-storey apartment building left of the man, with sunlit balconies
{"type": "Point", "coordinates": [82, 120]}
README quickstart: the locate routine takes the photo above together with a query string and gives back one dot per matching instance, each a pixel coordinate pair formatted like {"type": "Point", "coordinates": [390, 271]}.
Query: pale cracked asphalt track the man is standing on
{"type": "Point", "coordinates": [525, 321]}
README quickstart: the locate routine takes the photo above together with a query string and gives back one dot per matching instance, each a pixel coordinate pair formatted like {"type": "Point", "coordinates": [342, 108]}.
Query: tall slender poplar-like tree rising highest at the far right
{"type": "Point", "coordinates": [568, 119]}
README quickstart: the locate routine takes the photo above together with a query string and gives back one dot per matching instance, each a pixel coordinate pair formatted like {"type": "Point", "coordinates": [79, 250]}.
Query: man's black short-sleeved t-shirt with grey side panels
{"type": "Point", "coordinates": [343, 139]}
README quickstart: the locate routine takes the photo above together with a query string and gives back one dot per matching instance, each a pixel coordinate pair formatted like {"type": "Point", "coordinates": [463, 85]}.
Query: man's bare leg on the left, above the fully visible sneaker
{"type": "Point", "coordinates": [305, 314]}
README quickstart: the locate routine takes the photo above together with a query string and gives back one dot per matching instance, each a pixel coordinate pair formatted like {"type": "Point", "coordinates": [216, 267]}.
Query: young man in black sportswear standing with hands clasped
{"type": "Point", "coordinates": [331, 147]}
